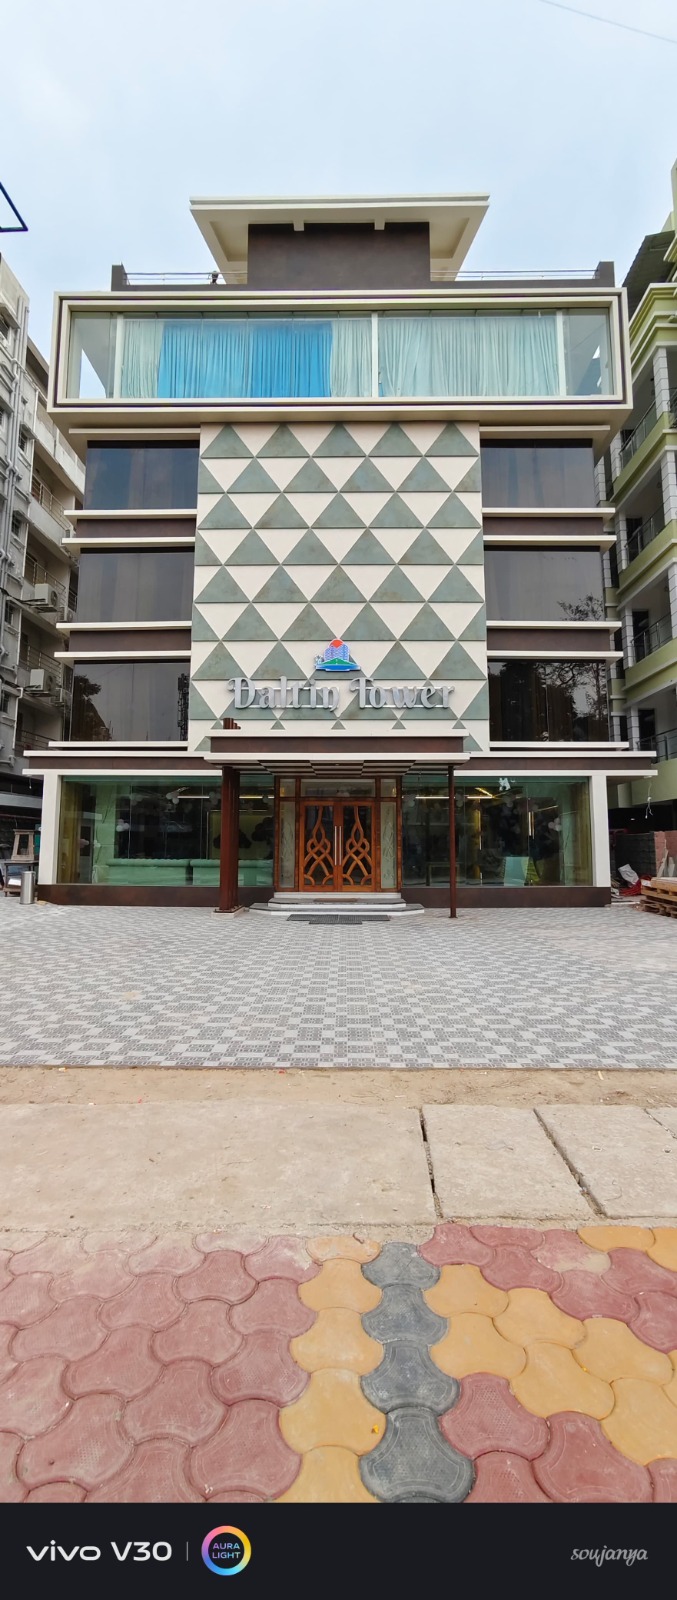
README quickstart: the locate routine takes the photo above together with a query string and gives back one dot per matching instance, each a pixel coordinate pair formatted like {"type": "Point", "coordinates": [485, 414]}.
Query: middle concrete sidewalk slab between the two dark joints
{"type": "Point", "coordinates": [497, 1161]}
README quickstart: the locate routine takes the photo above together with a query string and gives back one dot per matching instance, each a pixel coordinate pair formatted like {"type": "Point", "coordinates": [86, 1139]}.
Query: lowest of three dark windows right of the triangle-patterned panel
{"type": "Point", "coordinates": [548, 700]}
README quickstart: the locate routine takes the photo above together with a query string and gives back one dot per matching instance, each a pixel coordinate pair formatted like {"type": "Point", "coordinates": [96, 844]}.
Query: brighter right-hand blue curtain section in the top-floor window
{"type": "Point", "coordinates": [289, 359]}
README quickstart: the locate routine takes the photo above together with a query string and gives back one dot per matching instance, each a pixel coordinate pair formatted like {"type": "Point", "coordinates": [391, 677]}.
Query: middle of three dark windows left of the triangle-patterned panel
{"type": "Point", "coordinates": [135, 586]}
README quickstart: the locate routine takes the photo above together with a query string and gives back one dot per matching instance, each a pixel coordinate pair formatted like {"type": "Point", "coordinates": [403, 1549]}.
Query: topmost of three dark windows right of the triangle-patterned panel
{"type": "Point", "coordinates": [539, 474]}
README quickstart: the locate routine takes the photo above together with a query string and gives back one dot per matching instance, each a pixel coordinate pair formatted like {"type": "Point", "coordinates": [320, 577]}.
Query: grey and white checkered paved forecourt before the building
{"type": "Point", "coordinates": [130, 986]}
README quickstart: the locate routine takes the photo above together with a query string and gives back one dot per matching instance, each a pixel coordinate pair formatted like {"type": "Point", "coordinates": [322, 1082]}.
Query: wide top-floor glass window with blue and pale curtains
{"type": "Point", "coordinates": [239, 356]}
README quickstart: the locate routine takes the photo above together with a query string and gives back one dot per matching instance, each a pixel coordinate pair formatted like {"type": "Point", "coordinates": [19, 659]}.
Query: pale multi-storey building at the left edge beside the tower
{"type": "Point", "coordinates": [41, 478]}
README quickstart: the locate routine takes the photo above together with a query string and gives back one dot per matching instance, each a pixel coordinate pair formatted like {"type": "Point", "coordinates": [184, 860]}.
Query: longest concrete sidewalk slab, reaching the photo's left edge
{"type": "Point", "coordinates": [204, 1164]}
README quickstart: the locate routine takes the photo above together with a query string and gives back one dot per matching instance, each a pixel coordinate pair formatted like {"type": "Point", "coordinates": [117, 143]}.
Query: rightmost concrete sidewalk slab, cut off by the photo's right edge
{"type": "Point", "coordinates": [627, 1161]}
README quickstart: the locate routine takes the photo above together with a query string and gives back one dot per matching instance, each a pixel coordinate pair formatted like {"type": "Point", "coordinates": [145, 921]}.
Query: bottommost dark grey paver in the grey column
{"type": "Point", "coordinates": [415, 1460]}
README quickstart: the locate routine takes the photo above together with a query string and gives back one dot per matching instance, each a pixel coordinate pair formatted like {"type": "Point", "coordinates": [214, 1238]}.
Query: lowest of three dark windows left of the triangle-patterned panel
{"type": "Point", "coordinates": [130, 700]}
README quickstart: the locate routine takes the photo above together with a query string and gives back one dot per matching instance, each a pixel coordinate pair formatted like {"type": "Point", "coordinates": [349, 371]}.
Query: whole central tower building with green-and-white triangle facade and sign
{"type": "Point", "coordinates": [340, 570]}
